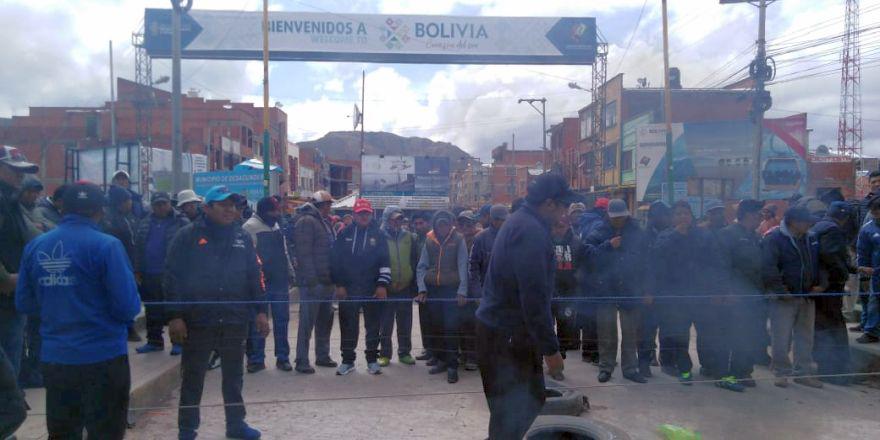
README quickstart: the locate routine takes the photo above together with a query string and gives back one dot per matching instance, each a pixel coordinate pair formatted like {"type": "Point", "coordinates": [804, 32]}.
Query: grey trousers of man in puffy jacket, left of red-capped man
{"type": "Point", "coordinates": [317, 315]}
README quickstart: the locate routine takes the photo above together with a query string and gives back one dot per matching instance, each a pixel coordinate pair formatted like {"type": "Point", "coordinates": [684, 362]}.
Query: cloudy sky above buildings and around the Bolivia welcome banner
{"type": "Point", "coordinates": [55, 53]}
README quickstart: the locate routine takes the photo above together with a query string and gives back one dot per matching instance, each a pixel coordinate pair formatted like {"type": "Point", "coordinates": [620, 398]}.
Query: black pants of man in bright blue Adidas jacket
{"type": "Point", "coordinates": [91, 396]}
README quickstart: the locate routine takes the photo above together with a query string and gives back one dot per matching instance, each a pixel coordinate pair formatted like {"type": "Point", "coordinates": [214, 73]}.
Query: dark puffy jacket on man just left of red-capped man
{"type": "Point", "coordinates": [313, 239]}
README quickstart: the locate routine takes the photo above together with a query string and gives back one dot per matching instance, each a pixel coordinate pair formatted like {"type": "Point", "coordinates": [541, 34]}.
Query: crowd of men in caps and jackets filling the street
{"type": "Point", "coordinates": [214, 273]}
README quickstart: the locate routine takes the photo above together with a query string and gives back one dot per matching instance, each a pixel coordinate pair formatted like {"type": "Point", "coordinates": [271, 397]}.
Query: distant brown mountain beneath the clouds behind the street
{"type": "Point", "coordinates": [346, 145]}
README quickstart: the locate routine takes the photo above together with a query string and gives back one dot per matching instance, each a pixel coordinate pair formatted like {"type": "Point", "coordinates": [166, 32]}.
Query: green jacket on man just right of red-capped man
{"type": "Point", "coordinates": [403, 253]}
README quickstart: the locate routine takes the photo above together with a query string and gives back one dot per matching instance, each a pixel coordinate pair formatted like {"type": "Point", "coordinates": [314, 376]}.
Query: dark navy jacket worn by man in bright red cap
{"type": "Point", "coordinates": [360, 261]}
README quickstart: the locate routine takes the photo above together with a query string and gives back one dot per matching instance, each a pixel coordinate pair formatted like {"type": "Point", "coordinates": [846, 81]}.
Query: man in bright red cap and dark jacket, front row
{"type": "Point", "coordinates": [361, 270]}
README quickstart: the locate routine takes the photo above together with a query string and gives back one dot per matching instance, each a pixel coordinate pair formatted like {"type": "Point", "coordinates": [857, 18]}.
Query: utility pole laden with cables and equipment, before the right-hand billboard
{"type": "Point", "coordinates": [761, 71]}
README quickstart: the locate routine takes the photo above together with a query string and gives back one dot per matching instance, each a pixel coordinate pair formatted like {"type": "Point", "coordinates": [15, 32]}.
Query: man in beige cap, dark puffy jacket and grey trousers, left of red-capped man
{"type": "Point", "coordinates": [313, 243]}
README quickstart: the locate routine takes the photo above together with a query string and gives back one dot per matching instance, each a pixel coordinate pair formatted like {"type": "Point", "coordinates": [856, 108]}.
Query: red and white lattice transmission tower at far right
{"type": "Point", "coordinates": [849, 127]}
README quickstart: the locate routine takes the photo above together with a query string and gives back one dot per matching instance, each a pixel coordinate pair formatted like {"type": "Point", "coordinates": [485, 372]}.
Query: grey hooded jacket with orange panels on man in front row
{"type": "Point", "coordinates": [443, 263]}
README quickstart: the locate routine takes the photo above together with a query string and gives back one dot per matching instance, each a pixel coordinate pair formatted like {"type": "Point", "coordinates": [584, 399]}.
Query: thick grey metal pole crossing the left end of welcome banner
{"type": "Point", "coordinates": [178, 7]}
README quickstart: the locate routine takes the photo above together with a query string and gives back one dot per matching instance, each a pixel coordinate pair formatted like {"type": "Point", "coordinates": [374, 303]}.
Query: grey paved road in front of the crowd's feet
{"type": "Point", "coordinates": [359, 412]}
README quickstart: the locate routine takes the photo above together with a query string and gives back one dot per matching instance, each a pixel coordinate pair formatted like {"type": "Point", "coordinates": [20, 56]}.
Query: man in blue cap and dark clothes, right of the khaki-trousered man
{"type": "Point", "coordinates": [831, 348]}
